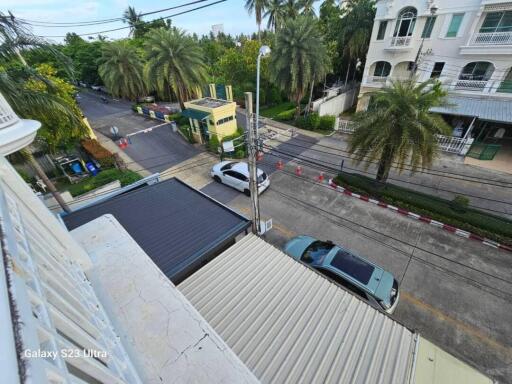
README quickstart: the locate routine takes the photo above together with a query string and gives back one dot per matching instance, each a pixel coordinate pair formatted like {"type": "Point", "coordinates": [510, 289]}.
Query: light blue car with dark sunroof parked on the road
{"type": "Point", "coordinates": [366, 280]}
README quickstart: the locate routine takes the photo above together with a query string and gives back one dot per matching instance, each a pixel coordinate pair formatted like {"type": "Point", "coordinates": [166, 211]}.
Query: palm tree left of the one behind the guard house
{"type": "Point", "coordinates": [121, 70]}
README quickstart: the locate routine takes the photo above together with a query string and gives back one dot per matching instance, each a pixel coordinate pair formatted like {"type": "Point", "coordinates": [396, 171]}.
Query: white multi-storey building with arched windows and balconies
{"type": "Point", "coordinates": [467, 45]}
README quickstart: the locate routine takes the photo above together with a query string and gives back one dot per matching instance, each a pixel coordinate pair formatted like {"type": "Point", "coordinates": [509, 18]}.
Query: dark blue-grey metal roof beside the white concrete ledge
{"type": "Point", "coordinates": [178, 226]}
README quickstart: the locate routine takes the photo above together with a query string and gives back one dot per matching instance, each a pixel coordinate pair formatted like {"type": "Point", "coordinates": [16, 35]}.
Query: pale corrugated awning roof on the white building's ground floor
{"type": "Point", "coordinates": [485, 108]}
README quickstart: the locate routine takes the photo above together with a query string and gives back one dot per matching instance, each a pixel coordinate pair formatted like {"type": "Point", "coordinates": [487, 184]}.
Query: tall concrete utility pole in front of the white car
{"type": "Point", "coordinates": [252, 148]}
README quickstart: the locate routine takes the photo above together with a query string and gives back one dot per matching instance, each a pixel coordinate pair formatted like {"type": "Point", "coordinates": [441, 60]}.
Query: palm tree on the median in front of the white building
{"type": "Point", "coordinates": [398, 127]}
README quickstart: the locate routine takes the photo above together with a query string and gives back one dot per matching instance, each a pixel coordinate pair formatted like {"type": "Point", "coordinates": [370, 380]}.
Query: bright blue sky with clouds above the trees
{"type": "Point", "coordinates": [231, 14]}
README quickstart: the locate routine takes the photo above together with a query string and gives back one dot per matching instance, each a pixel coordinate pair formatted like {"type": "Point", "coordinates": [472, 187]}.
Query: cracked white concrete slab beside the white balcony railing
{"type": "Point", "coordinates": [168, 340]}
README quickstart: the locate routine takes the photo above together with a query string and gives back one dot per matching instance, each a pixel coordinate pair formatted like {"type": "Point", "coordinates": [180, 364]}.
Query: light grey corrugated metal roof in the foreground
{"type": "Point", "coordinates": [289, 324]}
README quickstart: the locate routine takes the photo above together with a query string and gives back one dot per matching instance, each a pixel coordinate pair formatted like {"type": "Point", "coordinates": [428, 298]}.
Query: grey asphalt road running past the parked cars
{"type": "Point", "coordinates": [455, 292]}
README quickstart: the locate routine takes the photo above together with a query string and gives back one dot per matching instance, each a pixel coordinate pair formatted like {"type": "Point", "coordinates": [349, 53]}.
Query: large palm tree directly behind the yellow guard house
{"type": "Point", "coordinates": [175, 60]}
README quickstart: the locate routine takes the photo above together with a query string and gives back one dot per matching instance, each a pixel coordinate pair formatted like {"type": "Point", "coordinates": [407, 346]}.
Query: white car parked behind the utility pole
{"type": "Point", "coordinates": [236, 175]}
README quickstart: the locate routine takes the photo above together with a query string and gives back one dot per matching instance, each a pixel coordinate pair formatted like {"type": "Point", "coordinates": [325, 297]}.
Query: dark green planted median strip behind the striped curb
{"type": "Point", "coordinates": [449, 212]}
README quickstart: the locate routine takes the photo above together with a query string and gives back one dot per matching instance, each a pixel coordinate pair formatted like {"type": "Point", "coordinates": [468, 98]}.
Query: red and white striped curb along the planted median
{"type": "Point", "coordinates": [425, 219]}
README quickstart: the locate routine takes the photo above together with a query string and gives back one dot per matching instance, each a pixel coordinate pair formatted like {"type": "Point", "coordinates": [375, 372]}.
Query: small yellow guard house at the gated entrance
{"type": "Point", "coordinates": [212, 115]}
